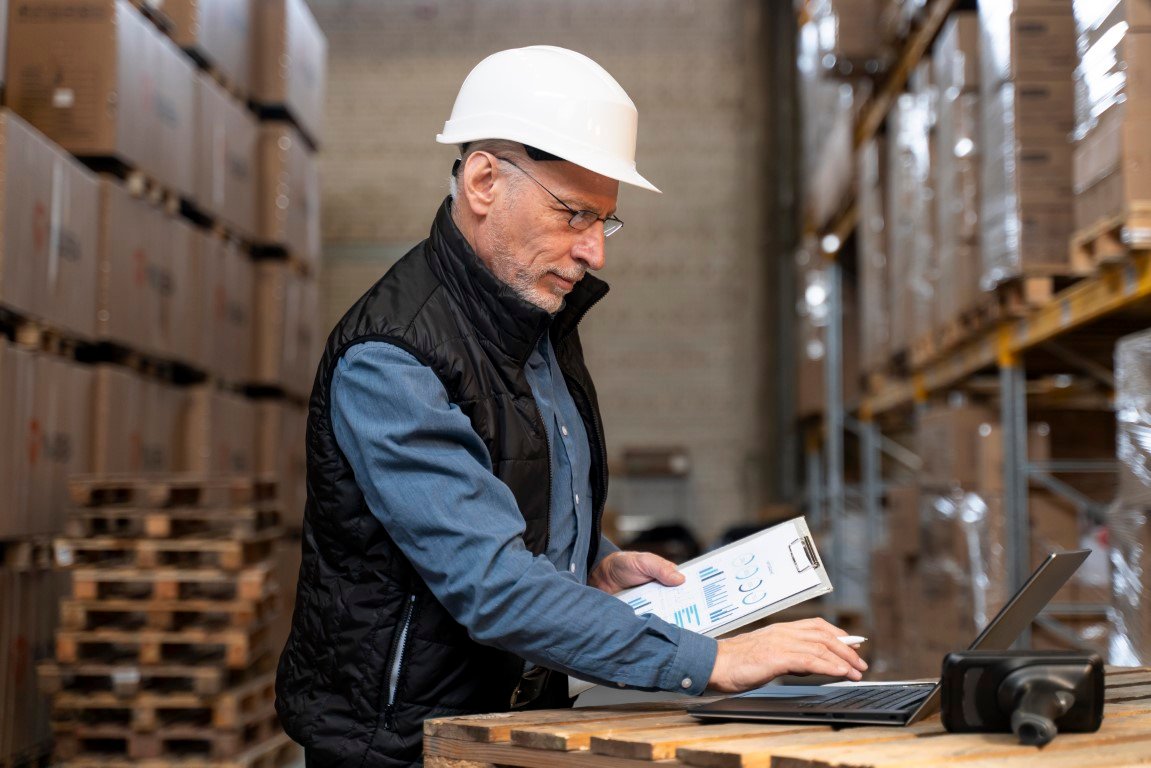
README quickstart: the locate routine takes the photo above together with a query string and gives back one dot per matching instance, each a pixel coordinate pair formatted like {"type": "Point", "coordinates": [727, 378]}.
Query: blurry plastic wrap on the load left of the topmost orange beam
{"type": "Point", "coordinates": [827, 113]}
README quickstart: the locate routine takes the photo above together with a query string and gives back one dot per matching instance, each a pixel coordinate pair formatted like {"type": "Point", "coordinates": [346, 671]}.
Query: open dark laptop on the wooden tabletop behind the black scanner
{"type": "Point", "coordinates": [894, 704]}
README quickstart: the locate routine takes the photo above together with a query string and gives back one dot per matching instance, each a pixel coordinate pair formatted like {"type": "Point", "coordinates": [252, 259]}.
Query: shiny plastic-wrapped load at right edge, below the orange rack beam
{"type": "Point", "coordinates": [1127, 520]}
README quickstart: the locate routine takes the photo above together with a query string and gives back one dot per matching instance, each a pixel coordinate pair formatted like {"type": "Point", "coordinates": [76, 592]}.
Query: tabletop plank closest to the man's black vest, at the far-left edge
{"type": "Point", "coordinates": [498, 727]}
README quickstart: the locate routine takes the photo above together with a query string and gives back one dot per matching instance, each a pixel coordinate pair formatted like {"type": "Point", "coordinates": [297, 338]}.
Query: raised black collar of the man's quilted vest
{"type": "Point", "coordinates": [499, 315]}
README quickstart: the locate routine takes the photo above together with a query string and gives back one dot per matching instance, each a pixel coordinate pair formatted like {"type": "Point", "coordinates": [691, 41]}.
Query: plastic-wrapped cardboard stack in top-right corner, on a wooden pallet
{"type": "Point", "coordinates": [1112, 101]}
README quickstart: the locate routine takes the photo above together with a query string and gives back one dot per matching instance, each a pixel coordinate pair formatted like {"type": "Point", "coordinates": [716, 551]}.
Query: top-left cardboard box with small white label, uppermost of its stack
{"type": "Point", "coordinates": [101, 81]}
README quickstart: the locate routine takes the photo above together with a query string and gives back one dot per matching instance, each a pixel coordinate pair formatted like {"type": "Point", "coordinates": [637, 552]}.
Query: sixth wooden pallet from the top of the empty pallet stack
{"type": "Point", "coordinates": [237, 649]}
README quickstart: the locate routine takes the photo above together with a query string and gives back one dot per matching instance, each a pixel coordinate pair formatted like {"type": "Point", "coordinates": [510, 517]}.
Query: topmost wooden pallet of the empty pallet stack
{"type": "Point", "coordinates": [172, 491]}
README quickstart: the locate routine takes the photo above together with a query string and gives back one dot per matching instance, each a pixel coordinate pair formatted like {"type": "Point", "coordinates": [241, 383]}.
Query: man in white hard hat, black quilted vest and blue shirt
{"type": "Point", "coordinates": [458, 472]}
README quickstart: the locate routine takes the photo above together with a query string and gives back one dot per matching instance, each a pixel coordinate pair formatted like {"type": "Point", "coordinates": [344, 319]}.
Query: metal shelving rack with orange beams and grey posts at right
{"type": "Point", "coordinates": [1117, 288]}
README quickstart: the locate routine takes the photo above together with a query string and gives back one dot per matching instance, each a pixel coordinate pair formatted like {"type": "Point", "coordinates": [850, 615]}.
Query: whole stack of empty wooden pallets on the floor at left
{"type": "Point", "coordinates": [164, 650]}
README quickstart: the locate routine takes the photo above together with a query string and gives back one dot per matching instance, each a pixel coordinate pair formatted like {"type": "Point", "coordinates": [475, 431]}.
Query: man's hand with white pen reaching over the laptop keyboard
{"type": "Point", "coordinates": [810, 647]}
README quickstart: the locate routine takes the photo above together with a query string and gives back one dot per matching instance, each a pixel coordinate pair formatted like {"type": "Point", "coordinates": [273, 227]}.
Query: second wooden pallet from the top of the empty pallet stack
{"type": "Point", "coordinates": [239, 522]}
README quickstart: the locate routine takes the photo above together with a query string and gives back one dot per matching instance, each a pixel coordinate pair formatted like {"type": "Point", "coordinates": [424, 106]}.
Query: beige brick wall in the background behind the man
{"type": "Point", "coordinates": [677, 349]}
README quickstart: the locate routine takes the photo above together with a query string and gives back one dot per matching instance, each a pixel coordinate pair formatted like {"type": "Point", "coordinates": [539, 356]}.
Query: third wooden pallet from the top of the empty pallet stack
{"type": "Point", "coordinates": [224, 553]}
